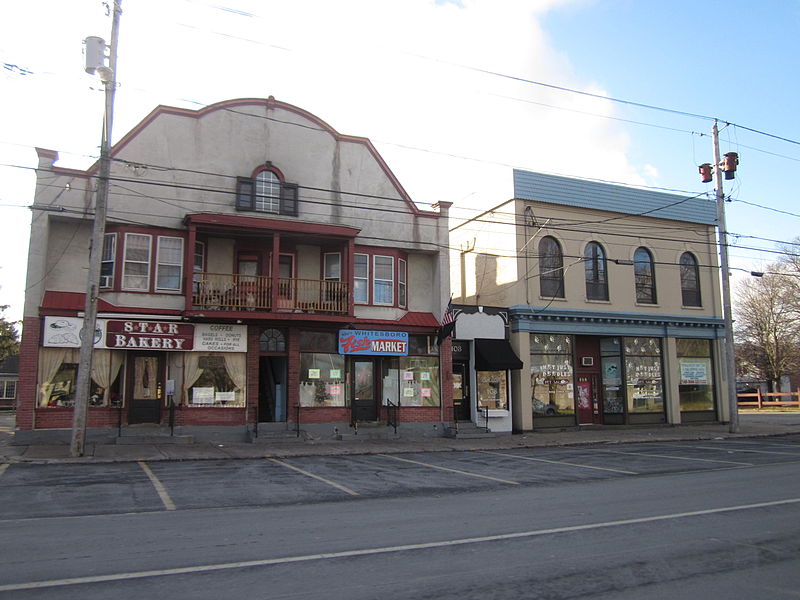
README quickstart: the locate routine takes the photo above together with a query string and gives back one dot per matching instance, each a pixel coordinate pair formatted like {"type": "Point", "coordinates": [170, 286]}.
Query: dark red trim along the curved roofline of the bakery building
{"type": "Point", "coordinates": [271, 103]}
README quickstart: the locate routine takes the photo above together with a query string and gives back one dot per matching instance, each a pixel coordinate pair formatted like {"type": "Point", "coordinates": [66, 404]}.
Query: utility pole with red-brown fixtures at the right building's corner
{"type": "Point", "coordinates": [730, 362]}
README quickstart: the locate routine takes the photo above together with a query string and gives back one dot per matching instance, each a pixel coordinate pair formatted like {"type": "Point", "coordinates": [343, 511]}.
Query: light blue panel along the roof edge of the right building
{"type": "Point", "coordinates": [582, 193]}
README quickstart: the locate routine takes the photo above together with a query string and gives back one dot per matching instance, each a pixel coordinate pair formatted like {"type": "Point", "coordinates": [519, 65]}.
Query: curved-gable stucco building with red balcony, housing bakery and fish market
{"type": "Point", "coordinates": [260, 272]}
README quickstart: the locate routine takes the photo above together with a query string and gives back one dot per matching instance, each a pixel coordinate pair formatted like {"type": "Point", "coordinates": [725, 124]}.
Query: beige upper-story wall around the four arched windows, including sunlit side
{"type": "Point", "coordinates": [493, 271]}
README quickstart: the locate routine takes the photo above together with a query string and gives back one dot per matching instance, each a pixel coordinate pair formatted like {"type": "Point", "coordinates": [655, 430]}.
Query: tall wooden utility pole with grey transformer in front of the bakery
{"type": "Point", "coordinates": [109, 77]}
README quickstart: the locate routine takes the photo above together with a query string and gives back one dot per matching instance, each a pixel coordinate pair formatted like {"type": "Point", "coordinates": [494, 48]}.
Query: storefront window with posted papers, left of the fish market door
{"type": "Point", "coordinates": [322, 380]}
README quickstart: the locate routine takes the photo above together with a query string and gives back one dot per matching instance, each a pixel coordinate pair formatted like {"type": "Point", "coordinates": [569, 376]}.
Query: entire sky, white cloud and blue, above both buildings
{"type": "Point", "coordinates": [426, 81]}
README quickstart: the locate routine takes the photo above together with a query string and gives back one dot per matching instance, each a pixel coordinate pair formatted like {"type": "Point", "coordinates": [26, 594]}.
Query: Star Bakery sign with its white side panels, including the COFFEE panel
{"type": "Point", "coordinates": [66, 332]}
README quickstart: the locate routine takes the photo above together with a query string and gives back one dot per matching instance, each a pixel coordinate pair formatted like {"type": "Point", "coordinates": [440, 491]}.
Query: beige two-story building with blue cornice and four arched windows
{"type": "Point", "coordinates": [610, 297]}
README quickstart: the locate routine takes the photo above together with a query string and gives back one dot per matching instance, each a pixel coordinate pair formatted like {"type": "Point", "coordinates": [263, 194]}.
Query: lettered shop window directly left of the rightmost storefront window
{"type": "Point", "coordinates": [644, 377]}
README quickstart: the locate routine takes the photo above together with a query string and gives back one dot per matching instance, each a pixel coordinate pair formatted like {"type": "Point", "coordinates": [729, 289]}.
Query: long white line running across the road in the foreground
{"type": "Point", "coordinates": [265, 562]}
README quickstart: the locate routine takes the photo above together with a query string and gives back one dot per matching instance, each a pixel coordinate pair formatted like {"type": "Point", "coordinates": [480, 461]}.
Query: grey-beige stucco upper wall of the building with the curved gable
{"type": "Point", "coordinates": [183, 162]}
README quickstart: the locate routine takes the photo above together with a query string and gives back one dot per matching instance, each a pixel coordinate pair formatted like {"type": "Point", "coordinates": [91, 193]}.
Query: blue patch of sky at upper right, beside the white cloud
{"type": "Point", "coordinates": [734, 60]}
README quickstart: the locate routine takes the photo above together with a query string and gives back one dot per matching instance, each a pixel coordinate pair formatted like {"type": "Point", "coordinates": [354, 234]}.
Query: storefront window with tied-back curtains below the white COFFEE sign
{"type": "Point", "coordinates": [215, 379]}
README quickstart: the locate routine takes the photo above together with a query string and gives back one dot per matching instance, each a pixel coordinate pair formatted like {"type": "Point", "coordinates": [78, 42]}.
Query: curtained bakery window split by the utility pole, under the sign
{"type": "Point", "coordinates": [58, 375]}
